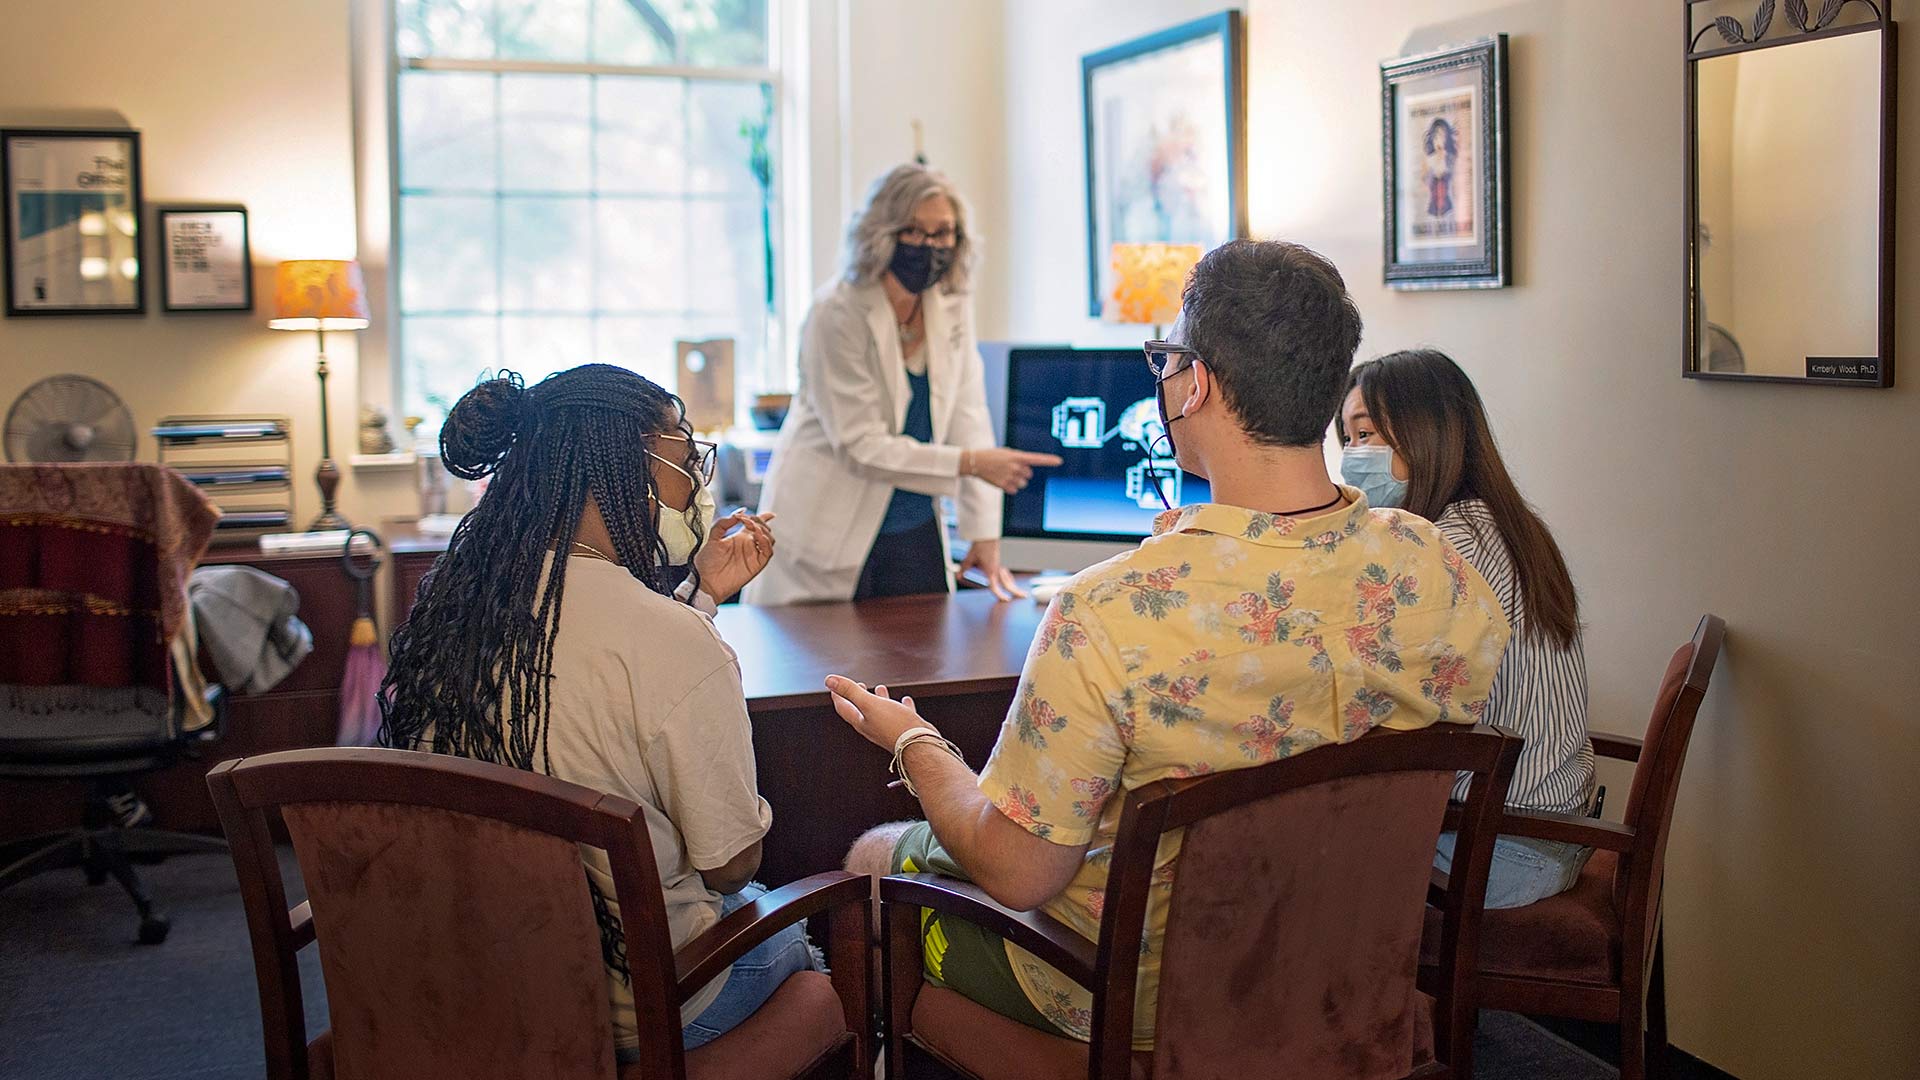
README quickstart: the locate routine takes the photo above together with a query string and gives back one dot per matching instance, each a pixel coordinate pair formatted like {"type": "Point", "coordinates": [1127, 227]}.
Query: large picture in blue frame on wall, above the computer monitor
{"type": "Point", "coordinates": [1166, 143]}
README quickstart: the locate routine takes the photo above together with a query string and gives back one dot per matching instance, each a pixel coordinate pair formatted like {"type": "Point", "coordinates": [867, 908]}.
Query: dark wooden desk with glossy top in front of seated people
{"type": "Point", "coordinates": [959, 656]}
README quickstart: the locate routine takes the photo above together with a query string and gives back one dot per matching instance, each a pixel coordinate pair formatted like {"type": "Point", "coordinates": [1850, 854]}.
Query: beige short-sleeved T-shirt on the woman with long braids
{"type": "Point", "coordinates": [648, 704]}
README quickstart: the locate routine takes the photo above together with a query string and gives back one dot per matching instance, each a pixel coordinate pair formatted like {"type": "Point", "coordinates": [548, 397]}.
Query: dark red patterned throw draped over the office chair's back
{"type": "Point", "coordinates": [93, 572]}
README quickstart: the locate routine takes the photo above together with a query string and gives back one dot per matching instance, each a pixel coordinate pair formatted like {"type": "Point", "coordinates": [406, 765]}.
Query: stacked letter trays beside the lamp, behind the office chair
{"type": "Point", "coordinates": [243, 462]}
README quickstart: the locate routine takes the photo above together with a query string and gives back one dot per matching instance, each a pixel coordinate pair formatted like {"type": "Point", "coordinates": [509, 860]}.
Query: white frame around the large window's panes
{"type": "Point", "coordinates": [775, 370]}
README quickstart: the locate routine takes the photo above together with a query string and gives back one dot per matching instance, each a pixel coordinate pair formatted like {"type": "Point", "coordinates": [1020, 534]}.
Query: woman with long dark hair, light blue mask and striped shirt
{"type": "Point", "coordinates": [1418, 439]}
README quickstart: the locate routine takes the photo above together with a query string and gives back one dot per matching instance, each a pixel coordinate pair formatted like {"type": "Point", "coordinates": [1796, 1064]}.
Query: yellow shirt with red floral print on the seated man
{"type": "Point", "coordinates": [1228, 639]}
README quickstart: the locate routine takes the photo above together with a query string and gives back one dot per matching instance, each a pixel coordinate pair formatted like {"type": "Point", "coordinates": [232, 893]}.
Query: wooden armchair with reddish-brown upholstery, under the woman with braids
{"type": "Point", "coordinates": [458, 935]}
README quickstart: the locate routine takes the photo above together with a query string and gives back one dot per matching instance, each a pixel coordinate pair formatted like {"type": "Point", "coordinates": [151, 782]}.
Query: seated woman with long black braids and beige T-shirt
{"type": "Point", "coordinates": [552, 639]}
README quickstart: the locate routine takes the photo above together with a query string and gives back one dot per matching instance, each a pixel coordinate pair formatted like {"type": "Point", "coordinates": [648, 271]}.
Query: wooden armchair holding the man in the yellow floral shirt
{"type": "Point", "coordinates": [1293, 939]}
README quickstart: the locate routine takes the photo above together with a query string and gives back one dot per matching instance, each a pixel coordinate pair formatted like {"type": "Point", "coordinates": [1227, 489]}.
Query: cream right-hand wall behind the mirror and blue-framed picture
{"type": "Point", "coordinates": [1792, 927]}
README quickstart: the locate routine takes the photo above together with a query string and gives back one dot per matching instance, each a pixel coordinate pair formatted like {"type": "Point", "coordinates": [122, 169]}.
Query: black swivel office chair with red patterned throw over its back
{"type": "Point", "coordinates": [97, 664]}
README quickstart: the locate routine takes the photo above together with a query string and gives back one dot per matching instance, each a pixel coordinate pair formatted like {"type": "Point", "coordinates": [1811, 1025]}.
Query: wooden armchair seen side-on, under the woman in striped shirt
{"type": "Point", "coordinates": [1595, 952]}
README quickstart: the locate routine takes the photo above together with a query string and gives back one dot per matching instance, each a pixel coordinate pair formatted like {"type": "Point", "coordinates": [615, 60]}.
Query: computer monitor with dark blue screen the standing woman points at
{"type": "Point", "coordinates": [1093, 408]}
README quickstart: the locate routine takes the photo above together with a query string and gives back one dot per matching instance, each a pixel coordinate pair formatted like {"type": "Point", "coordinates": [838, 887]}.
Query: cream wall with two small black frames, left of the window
{"type": "Point", "coordinates": [237, 103]}
